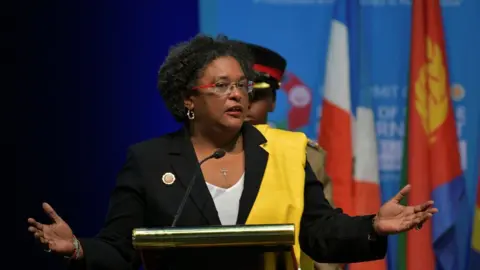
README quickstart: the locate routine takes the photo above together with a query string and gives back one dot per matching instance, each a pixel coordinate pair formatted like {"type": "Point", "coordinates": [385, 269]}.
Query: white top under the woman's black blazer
{"type": "Point", "coordinates": [227, 201]}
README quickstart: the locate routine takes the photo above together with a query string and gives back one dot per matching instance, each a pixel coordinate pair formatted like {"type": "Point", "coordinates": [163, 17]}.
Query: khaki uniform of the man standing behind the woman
{"type": "Point", "coordinates": [316, 158]}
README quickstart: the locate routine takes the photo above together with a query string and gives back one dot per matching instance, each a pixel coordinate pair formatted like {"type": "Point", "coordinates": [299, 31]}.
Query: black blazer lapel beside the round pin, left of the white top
{"type": "Point", "coordinates": [185, 164]}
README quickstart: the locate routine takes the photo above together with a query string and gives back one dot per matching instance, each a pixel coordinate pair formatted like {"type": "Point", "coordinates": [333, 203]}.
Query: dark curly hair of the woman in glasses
{"type": "Point", "coordinates": [186, 62]}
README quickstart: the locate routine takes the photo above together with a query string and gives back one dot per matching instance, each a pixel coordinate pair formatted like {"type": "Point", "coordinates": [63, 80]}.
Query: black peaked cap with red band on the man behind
{"type": "Point", "coordinates": [269, 65]}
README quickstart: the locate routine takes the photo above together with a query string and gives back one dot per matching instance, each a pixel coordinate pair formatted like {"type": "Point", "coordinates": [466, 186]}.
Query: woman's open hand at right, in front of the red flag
{"type": "Point", "coordinates": [394, 218]}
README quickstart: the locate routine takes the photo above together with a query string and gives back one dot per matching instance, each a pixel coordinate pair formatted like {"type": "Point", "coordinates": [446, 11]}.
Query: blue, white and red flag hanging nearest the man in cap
{"type": "Point", "coordinates": [347, 130]}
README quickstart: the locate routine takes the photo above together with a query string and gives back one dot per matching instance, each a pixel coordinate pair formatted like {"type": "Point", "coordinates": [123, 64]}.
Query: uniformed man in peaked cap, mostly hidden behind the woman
{"type": "Point", "coordinates": [270, 67]}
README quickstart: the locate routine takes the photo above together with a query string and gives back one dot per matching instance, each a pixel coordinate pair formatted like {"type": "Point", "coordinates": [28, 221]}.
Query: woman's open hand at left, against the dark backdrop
{"type": "Point", "coordinates": [58, 235]}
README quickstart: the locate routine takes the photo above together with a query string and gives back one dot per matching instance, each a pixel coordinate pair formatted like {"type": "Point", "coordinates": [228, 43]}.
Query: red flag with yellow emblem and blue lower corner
{"type": "Point", "coordinates": [431, 157]}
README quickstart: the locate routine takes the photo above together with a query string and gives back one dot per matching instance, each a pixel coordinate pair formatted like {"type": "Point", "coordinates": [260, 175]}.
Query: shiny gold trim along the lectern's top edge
{"type": "Point", "coordinates": [215, 236]}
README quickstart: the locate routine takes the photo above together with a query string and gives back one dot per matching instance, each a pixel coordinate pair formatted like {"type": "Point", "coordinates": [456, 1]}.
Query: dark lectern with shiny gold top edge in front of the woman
{"type": "Point", "coordinates": [217, 247]}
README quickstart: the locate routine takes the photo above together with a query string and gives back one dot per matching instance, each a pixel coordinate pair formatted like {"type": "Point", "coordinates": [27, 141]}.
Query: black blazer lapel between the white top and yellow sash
{"type": "Point", "coordinates": [255, 163]}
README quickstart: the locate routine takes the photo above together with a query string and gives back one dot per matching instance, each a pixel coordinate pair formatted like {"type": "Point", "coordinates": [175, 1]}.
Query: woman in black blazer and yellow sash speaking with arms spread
{"type": "Point", "coordinates": [261, 176]}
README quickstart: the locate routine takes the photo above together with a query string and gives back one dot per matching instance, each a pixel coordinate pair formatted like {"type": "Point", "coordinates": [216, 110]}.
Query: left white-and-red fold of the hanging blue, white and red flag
{"type": "Point", "coordinates": [336, 123]}
